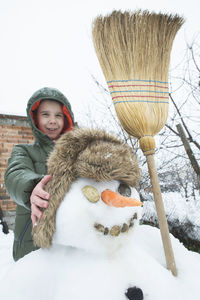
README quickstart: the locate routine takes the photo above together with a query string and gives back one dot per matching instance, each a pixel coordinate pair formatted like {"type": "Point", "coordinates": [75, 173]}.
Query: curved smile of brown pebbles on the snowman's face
{"type": "Point", "coordinates": [116, 229]}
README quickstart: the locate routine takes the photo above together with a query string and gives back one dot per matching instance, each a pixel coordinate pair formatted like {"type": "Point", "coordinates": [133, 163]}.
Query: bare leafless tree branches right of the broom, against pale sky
{"type": "Point", "coordinates": [181, 137]}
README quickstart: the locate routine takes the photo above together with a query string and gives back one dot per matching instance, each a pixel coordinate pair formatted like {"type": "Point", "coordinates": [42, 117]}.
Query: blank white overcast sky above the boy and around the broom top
{"type": "Point", "coordinates": [48, 43]}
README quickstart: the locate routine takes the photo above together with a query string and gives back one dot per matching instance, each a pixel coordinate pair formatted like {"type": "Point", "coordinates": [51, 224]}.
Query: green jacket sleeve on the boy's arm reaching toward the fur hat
{"type": "Point", "coordinates": [20, 177]}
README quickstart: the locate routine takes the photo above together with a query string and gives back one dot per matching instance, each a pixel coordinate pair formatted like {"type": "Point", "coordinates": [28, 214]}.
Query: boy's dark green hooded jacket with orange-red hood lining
{"type": "Point", "coordinates": [27, 166]}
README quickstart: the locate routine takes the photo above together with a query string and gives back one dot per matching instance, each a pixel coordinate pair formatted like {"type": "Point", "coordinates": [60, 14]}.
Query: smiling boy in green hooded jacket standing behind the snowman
{"type": "Point", "coordinates": [50, 115]}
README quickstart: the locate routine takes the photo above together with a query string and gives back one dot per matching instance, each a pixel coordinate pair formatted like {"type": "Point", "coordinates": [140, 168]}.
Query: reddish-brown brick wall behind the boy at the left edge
{"type": "Point", "coordinates": [13, 130]}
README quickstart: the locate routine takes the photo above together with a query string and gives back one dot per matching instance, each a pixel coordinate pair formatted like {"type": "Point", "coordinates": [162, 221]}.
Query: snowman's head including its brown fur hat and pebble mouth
{"type": "Point", "coordinates": [81, 158]}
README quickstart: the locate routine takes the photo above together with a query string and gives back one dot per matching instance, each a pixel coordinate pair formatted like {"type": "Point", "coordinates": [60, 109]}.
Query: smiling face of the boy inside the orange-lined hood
{"type": "Point", "coordinates": [50, 118]}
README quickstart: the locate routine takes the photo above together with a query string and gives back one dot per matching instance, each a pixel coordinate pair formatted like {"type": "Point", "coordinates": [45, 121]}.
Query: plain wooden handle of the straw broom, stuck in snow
{"type": "Point", "coordinates": [161, 215]}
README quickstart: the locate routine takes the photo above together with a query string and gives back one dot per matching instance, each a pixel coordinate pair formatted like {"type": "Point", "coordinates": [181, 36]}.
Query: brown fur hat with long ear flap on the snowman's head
{"type": "Point", "coordinates": [89, 153]}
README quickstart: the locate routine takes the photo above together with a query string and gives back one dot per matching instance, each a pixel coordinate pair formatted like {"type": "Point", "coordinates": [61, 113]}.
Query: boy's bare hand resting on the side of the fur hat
{"type": "Point", "coordinates": [39, 198]}
